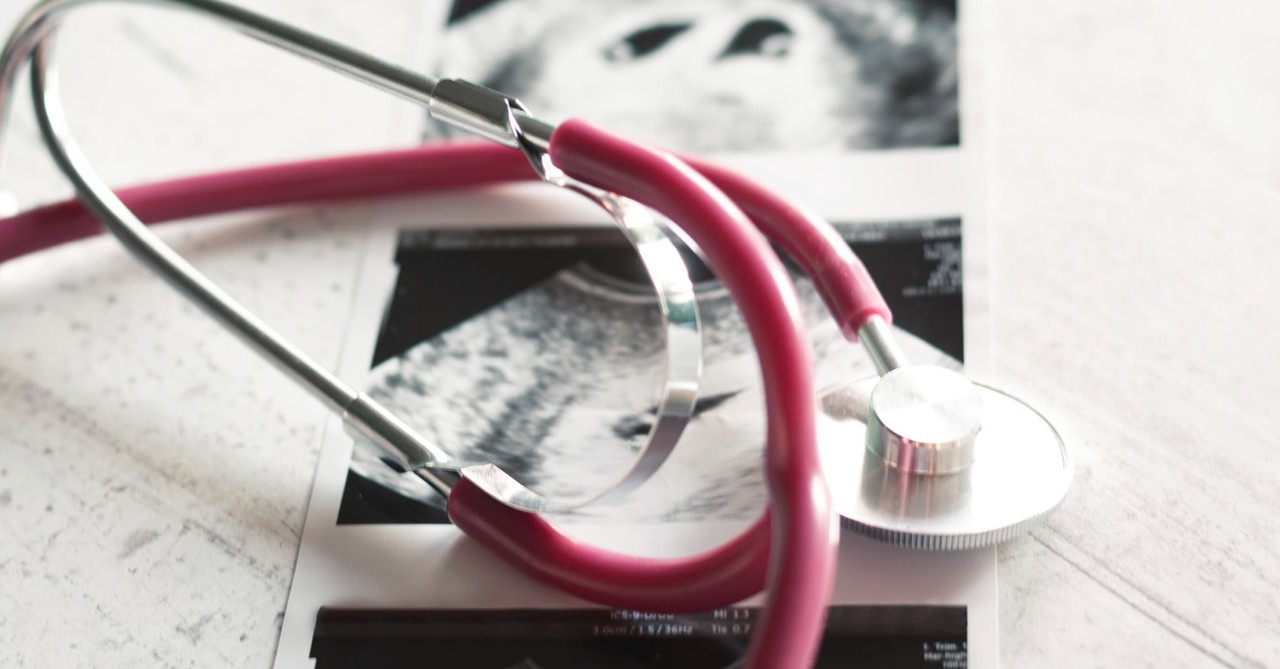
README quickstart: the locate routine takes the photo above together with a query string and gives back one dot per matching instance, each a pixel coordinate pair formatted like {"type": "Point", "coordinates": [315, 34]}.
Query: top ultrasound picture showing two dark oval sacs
{"type": "Point", "coordinates": [715, 76]}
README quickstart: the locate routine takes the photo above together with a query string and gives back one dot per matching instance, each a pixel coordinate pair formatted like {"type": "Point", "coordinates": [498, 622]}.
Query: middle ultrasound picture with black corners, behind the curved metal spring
{"type": "Point", "coordinates": [541, 350]}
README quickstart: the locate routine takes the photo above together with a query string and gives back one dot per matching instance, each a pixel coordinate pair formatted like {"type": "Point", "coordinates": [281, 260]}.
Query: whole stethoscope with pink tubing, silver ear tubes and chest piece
{"type": "Point", "coordinates": [925, 457]}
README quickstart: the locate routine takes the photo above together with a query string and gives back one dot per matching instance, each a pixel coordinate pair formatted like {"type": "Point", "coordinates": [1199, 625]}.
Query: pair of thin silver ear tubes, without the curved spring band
{"type": "Point", "coordinates": [33, 39]}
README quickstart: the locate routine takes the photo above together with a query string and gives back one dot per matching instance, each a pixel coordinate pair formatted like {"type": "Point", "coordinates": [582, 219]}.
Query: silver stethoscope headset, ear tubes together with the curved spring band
{"type": "Point", "coordinates": [487, 113]}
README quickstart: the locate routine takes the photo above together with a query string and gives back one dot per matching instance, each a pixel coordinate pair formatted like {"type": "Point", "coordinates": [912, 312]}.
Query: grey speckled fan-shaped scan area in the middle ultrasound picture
{"type": "Point", "coordinates": [557, 386]}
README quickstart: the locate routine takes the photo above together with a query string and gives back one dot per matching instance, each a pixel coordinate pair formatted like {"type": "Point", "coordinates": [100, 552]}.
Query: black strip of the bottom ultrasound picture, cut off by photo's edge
{"type": "Point", "coordinates": [881, 636]}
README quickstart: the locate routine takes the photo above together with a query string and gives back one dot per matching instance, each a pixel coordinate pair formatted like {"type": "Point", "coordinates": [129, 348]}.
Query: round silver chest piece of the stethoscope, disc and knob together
{"type": "Point", "coordinates": [925, 459]}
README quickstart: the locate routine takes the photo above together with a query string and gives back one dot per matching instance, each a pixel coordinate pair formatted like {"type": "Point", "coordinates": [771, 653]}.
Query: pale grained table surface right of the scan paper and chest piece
{"type": "Point", "coordinates": [1136, 175]}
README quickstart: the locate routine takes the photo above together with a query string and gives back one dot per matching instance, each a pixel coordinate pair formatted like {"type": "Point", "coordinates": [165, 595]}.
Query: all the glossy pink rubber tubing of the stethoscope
{"type": "Point", "coordinates": [801, 520]}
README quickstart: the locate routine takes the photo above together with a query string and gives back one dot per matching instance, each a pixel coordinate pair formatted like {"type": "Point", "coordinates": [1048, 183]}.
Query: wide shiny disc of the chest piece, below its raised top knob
{"type": "Point", "coordinates": [1021, 471]}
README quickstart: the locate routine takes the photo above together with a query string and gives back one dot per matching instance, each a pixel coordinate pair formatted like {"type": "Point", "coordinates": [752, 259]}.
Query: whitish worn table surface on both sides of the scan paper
{"type": "Point", "coordinates": [154, 475]}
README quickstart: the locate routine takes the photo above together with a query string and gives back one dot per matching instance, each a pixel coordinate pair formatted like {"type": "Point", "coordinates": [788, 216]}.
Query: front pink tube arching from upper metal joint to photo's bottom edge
{"type": "Point", "coordinates": [806, 526]}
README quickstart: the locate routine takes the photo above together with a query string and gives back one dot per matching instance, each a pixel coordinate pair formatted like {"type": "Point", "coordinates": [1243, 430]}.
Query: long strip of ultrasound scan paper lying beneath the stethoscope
{"type": "Point", "coordinates": [514, 324]}
